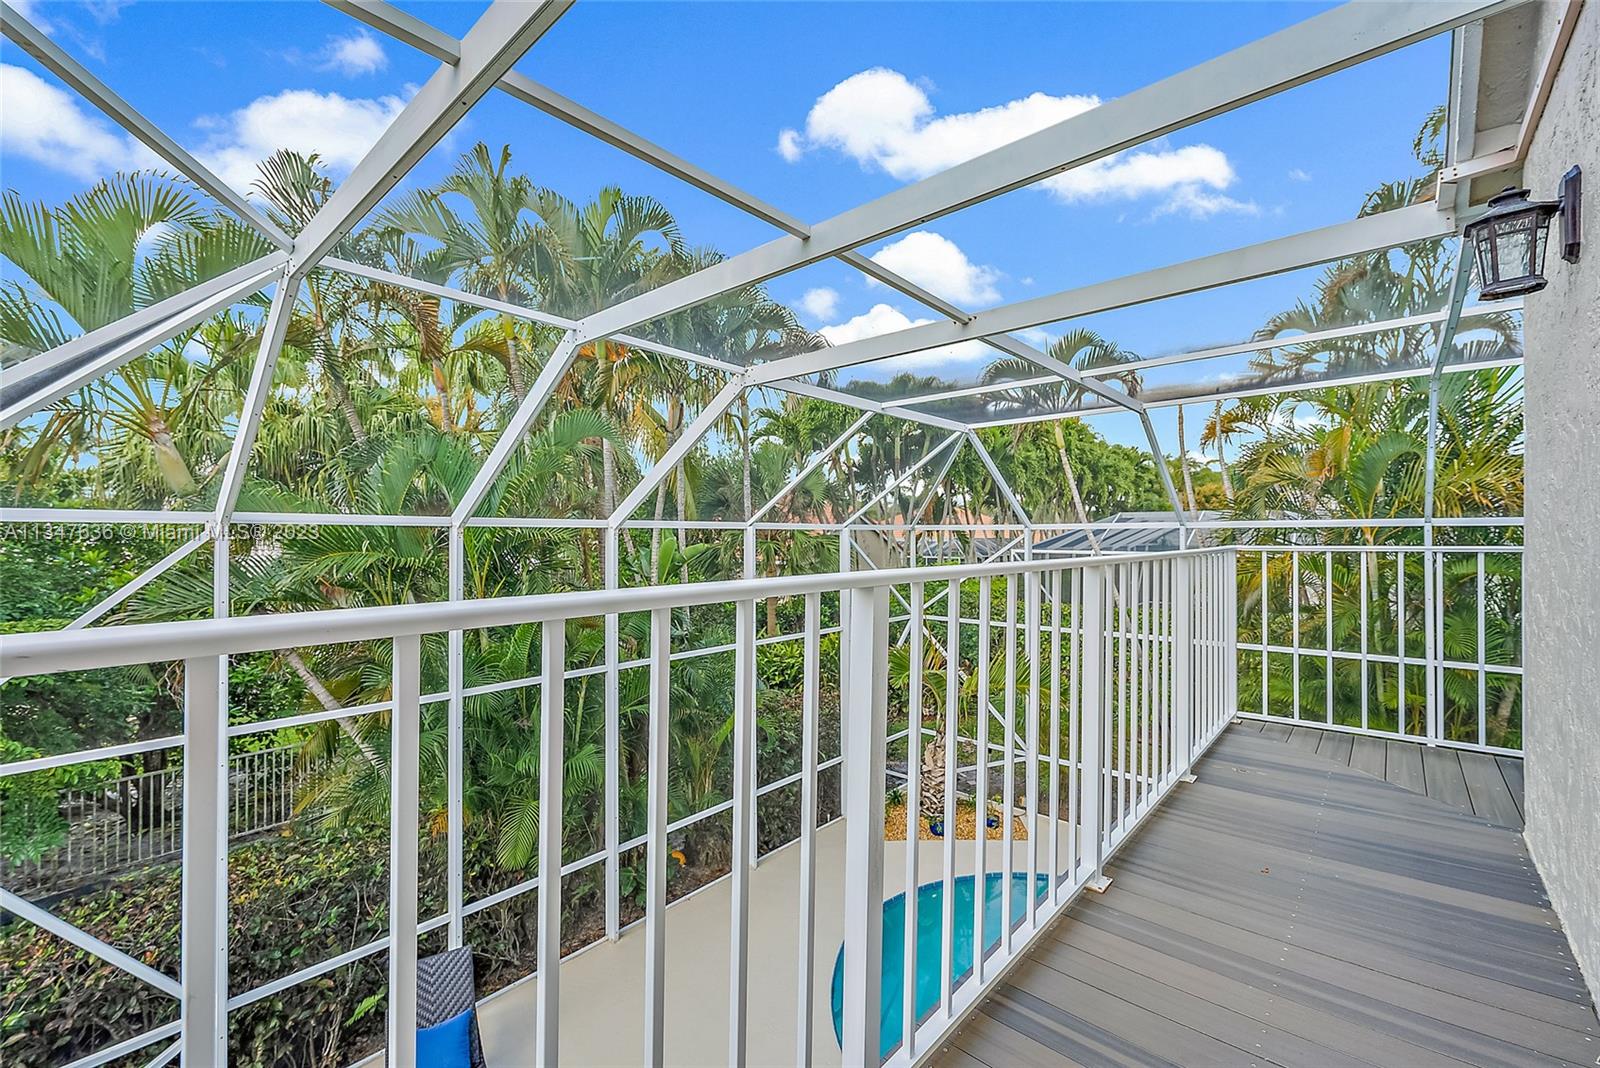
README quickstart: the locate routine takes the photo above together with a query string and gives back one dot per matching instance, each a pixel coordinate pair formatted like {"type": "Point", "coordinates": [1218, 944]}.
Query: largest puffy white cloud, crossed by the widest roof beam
{"type": "Point", "coordinates": [884, 121]}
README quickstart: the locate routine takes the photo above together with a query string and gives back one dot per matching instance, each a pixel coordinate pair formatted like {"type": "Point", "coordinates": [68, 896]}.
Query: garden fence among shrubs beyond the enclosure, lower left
{"type": "Point", "coordinates": [137, 819]}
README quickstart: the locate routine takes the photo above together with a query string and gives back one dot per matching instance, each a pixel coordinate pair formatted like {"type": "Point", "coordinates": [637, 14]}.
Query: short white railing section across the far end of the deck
{"type": "Point", "coordinates": [1404, 642]}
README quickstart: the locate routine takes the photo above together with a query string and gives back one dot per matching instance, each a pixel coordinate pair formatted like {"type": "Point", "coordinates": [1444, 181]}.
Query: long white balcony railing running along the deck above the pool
{"type": "Point", "coordinates": [1138, 653]}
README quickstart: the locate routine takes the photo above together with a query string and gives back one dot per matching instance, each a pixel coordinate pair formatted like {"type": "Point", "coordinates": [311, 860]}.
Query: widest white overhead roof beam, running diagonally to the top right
{"type": "Point", "coordinates": [1310, 50]}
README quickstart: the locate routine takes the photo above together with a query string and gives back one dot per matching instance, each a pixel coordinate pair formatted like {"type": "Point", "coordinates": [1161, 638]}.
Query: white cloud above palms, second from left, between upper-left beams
{"type": "Point", "coordinates": [338, 129]}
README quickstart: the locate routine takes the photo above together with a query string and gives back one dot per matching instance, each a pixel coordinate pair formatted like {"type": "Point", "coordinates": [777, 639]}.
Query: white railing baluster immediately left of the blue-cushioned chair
{"type": "Point", "coordinates": [406, 736]}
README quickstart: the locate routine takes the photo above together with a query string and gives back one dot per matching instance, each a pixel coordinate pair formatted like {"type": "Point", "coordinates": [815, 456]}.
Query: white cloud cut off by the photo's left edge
{"type": "Point", "coordinates": [42, 122]}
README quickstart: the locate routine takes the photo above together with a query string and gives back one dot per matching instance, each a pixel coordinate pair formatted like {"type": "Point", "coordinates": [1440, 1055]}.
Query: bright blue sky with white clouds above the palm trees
{"type": "Point", "coordinates": [810, 106]}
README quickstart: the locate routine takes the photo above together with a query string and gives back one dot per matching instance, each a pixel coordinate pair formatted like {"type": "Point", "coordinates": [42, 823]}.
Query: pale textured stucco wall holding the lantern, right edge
{"type": "Point", "coordinates": [1562, 329]}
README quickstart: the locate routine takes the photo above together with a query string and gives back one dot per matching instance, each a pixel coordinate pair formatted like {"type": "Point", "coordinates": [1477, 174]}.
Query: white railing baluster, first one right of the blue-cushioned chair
{"type": "Point", "coordinates": [553, 784]}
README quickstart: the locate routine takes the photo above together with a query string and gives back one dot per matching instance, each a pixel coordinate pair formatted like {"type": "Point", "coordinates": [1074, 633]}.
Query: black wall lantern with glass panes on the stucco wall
{"type": "Point", "coordinates": [1511, 237]}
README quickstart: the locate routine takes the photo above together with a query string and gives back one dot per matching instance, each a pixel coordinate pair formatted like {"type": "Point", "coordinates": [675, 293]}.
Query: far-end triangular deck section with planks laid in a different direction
{"type": "Point", "coordinates": [1478, 783]}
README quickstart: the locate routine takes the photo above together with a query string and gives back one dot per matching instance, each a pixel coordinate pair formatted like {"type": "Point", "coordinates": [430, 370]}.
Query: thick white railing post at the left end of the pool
{"type": "Point", "coordinates": [866, 722]}
